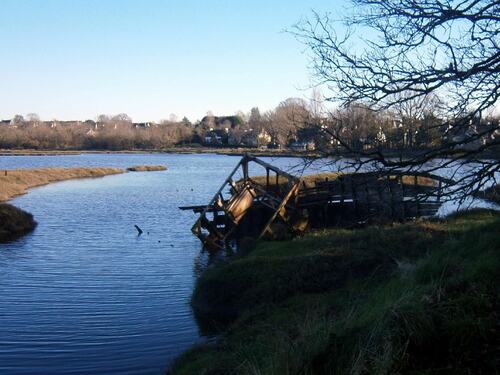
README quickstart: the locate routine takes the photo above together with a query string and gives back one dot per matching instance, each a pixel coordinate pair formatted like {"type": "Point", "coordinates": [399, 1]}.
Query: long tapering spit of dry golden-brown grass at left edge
{"type": "Point", "coordinates": [16, 182]}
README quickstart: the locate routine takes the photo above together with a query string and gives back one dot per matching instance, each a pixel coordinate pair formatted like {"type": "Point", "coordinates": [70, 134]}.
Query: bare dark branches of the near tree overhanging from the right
{"type": "Point", "coordinates": [398, 52]}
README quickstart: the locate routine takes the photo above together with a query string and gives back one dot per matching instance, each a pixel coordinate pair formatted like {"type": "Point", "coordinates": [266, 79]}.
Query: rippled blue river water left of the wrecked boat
{"type": "Point", "coordinates": [83, 293]}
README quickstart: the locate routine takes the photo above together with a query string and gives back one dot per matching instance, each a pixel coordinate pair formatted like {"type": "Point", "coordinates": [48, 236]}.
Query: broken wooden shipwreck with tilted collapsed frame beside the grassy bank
{"type": "Point", "coordinates": [277, 204]}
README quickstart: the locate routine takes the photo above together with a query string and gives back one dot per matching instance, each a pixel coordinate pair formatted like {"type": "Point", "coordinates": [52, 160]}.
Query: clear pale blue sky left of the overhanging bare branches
{"type": "Point", "coordinates": [75, 59]}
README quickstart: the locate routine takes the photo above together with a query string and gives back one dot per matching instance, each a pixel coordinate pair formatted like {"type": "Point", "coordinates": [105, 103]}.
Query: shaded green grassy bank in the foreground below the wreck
{"type": "Point", "coordinates": [415, 298]}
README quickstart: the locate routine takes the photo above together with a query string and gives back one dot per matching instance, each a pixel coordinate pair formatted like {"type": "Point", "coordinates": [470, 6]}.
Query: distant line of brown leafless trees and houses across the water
{"type": "Point", "coordinates": [294, 124]}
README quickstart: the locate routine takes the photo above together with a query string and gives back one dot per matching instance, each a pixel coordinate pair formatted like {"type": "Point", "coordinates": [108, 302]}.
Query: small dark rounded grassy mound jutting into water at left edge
{"type": "Point", "coordinates": [14, 222]}
